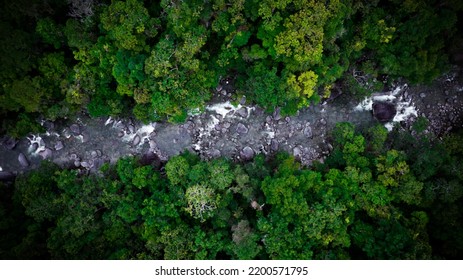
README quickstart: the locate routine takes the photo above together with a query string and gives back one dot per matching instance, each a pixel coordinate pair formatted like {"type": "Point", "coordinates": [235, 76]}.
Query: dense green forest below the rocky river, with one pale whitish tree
{"type": "Point", "coordinates": [375, 197]}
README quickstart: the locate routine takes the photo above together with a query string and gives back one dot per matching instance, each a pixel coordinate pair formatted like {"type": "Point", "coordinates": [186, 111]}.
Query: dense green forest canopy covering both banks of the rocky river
{"type": "Point", "coordinates": [378, 195]}
